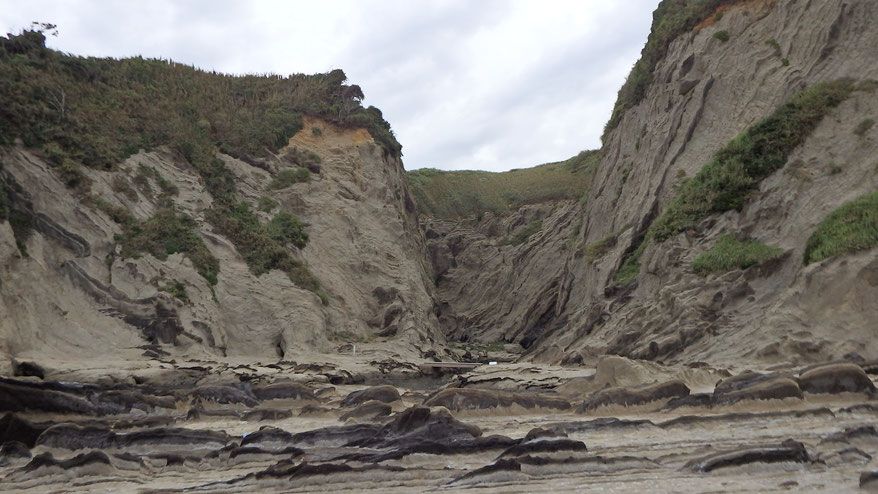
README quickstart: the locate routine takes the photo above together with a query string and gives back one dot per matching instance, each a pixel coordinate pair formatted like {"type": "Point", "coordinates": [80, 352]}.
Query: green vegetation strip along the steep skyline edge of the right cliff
{"type": "Point", "coordinates": [671, 19]}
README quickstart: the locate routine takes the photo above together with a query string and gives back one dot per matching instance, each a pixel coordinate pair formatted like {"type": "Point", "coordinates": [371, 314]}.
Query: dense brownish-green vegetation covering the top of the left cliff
{"type": "Point", "coordinates": [98, 111]}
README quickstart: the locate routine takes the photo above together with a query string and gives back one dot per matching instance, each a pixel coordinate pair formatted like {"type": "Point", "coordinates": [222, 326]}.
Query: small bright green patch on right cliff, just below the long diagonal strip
{"type": "Point", "coordinates": [729, 253]}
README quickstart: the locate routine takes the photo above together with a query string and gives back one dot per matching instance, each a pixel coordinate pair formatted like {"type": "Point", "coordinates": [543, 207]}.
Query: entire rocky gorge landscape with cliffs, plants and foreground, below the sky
{"type": "Point", "coordinates": [217, 283]}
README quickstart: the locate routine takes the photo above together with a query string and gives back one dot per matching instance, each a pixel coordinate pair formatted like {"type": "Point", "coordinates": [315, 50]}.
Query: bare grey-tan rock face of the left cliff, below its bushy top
{"type": "Point", "coordinates": [72, 297]}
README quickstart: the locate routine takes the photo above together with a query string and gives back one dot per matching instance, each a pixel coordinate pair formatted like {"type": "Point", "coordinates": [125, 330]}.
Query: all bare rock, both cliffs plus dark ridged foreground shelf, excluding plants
{"type": "Point", "coordinates": [756, 380]}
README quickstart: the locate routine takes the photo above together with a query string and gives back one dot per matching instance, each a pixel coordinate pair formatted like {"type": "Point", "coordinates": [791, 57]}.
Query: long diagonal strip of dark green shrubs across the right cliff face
{"type": "Point", "coordinates": [736, 170]}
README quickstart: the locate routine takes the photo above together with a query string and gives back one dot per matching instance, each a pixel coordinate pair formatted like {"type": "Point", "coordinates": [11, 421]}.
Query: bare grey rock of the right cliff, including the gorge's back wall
{"type": "Point", "coordinates": [555, 293]}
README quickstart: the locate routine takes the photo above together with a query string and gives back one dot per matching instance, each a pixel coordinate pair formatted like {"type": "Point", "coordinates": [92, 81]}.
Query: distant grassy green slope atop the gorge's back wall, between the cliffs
{"type": "Point", "coordinates": [459, 194]}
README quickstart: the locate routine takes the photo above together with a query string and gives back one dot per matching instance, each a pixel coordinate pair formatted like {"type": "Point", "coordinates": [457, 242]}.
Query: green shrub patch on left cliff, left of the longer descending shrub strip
{"type": "Point", "coordinates": [168, 232]}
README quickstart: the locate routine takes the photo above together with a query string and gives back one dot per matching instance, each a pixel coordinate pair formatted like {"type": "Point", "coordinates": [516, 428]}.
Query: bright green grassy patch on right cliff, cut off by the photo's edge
{"type": "Point", "coordinates": [850, 228]}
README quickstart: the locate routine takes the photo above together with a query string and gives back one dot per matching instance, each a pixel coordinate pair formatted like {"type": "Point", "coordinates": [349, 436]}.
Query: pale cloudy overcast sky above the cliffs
{"type": "Point", "coordinates": [465, 84]}
